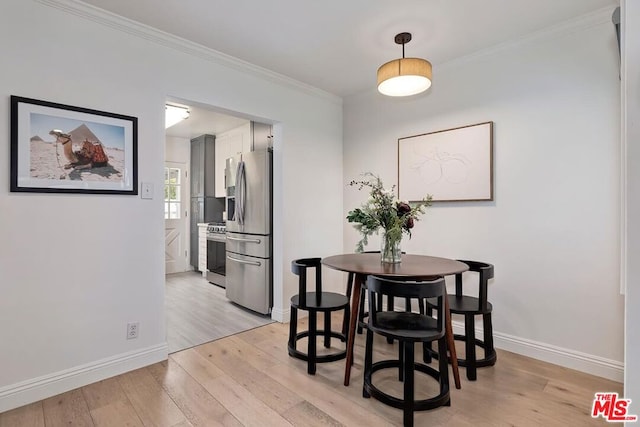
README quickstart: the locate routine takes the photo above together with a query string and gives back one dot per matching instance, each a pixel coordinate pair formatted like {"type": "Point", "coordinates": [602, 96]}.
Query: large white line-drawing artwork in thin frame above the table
{"type": "Point", "coordinates": [451, 165]}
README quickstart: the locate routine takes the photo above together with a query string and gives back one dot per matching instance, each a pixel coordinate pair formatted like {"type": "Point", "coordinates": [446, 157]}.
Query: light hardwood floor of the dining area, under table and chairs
{"type": "Point", "coordinates": [249, 380]}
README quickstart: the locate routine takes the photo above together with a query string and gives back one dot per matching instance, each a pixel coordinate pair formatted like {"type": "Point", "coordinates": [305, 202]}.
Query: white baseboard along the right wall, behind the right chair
{"type": "Point", "coordinates": [588, 363]}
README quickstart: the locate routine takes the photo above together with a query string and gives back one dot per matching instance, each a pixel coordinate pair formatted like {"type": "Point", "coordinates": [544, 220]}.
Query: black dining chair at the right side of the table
{"type": "Point", "coordinates": [470, 306]}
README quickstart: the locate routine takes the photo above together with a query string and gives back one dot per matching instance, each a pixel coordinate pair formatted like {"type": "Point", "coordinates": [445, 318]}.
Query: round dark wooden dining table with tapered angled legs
{"type": "Point", "coordinates": [412, 266]}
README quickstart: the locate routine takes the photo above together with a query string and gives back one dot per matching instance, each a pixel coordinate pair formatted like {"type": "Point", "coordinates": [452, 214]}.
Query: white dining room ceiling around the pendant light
{"type": "Point", "coordinates": [337, 45]}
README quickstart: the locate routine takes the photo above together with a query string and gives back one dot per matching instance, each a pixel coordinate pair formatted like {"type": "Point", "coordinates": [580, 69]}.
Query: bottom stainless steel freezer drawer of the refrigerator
{"type": "Point", "coordinates": [249, 282]}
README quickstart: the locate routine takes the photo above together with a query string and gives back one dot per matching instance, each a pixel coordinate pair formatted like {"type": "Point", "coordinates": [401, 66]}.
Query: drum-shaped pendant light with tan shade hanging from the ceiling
{"type": "Point", "coordinates": [404, 76]}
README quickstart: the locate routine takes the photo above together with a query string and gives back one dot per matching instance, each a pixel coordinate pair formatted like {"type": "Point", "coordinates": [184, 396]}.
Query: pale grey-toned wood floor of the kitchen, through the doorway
{"type": "Point", "coordinates": [199, 312]}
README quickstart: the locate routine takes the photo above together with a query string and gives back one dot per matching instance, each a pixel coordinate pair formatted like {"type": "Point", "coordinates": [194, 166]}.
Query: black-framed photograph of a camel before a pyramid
{"type": "Point", "coordinates": [58, 148]}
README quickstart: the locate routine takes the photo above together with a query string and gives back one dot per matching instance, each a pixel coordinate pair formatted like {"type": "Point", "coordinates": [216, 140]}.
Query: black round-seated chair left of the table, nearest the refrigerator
{"type": "Point", "coordinates": [315, 302]}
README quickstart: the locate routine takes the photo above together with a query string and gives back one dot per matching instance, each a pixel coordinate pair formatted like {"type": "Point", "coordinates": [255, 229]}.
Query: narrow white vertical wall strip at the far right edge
{"type": "Point", "coordinates": [631, 105]}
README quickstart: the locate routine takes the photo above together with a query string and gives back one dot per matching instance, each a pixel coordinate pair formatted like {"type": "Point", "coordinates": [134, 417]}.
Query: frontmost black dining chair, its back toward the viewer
{"type": "Point", "coordinates": [408, 328]}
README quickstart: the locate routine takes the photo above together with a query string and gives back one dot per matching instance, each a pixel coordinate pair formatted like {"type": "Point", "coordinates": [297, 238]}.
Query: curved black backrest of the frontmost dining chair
{"type": "Point", "coordinates": [409, 289]}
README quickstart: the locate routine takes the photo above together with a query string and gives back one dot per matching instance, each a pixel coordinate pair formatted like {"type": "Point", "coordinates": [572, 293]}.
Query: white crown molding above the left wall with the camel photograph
{"type": "Point", "coordinates": [138, 29]}
